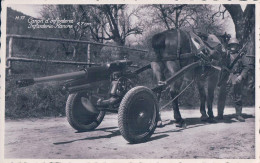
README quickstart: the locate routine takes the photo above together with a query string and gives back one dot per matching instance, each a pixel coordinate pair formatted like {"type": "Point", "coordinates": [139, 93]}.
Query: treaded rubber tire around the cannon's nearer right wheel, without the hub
{"type": "Point", "coordinates": [124, 115]}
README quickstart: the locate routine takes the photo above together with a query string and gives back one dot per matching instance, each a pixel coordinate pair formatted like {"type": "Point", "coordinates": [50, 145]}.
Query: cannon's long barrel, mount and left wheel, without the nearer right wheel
{"type": "Point", "coordinates": [85, 108]}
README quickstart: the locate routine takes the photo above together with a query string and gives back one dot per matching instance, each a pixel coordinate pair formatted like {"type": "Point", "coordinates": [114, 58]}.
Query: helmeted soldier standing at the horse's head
{"type": "Point", "coordinates": [236, 73]}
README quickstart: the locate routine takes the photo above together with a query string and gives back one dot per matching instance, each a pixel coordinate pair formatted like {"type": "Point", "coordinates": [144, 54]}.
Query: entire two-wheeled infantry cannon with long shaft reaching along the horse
{"type": "Point", "coordinates": [88, 100]}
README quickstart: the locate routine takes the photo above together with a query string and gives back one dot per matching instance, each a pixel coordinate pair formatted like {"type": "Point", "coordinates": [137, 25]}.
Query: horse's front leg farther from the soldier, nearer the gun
{"type": "Point", "coordinates": [200, 84]}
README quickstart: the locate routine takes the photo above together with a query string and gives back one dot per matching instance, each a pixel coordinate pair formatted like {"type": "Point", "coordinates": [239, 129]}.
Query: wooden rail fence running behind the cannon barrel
{"type": "Point", "coordinates": [10, 59]}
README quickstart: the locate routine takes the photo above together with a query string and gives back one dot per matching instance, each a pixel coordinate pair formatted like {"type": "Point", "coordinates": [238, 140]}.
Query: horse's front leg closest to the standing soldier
{"type": "Point", "coordinates": [212, 83]}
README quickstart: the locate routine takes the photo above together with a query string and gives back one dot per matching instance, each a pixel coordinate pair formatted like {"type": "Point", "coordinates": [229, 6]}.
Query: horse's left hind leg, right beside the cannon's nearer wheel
{"type": "Point", "coordinates": [157, 68]}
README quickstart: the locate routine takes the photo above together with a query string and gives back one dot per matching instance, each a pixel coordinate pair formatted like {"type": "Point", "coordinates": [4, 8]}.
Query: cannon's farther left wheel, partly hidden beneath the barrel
{"type": "Point", "coordinates": [76, 113]}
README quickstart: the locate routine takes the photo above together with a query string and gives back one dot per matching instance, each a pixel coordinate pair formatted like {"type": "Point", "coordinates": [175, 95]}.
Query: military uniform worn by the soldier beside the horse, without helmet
{"type": "Point", "coordinates": [233, 83]}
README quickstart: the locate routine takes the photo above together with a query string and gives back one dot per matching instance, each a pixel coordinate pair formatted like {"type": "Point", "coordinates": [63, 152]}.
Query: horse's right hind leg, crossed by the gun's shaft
{"type": "Point", "coordinates": [173, 67]}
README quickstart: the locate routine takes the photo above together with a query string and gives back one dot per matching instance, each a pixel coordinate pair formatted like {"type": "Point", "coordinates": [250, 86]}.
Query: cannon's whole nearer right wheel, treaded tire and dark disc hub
{"type": "Point", "coordinates": [137, 115]}
